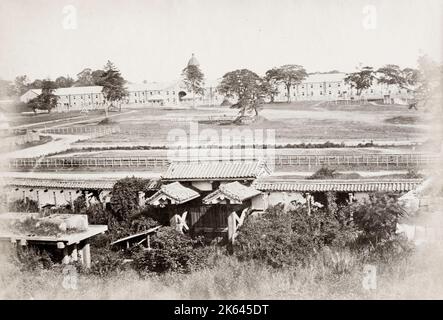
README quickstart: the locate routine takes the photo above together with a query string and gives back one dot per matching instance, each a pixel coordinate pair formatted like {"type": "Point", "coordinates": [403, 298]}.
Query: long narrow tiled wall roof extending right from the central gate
{"type": "Point", "coordinates": [360, 185]}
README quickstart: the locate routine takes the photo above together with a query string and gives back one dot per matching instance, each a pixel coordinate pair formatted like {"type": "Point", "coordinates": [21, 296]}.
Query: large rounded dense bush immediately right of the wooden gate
{"type": "Point", "coordinates": [282, 238]}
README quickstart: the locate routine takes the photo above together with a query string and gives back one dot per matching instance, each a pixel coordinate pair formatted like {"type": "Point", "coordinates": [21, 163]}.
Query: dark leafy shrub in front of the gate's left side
{"type": "Point", "coordinates": [172, 251]}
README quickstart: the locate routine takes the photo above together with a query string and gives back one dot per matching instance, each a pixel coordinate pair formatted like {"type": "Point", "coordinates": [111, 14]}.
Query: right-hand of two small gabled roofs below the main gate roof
{"type": "Point", "coordinates": [234, 191]}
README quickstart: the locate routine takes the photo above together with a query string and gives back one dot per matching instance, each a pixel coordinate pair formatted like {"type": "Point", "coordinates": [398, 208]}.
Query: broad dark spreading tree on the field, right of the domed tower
{"type": "Point", "coordinates": [247, 87]}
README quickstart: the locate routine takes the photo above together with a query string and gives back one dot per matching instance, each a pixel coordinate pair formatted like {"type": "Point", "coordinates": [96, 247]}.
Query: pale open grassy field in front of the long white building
{"type": "Point", "coordinates": [291, 122]}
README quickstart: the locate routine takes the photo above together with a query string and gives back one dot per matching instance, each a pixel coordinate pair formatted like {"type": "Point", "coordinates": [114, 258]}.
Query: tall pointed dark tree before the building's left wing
{"type": "Point", "coordinates": [114, 90]}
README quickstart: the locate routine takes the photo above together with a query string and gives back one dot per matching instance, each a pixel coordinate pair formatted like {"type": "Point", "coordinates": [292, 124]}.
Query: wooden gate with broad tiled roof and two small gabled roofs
{"type": "Point", "coordinates": [202, 197]}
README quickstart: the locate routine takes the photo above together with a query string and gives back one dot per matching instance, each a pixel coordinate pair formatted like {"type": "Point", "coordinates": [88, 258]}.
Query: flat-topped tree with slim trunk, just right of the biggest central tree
{"type": "Point", "coordinates": [289, 75]}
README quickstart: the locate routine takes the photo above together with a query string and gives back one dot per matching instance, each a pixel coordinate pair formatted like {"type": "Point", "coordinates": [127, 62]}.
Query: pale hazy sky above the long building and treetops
{"type": "Point", "coordinates": [153, 39]}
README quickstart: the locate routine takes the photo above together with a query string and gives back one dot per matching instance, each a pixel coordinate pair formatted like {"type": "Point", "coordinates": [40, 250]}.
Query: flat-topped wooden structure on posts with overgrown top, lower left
{"type": "Point", "coordinates": [74, 246]}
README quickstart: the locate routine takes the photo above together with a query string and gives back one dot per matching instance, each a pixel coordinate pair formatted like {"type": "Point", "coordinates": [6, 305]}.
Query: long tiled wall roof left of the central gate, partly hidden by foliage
{"type": "Point", "coordinates": [69, 184]}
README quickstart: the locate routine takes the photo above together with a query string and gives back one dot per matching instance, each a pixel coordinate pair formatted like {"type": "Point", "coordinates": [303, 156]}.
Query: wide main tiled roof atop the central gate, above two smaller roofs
{"type": "Point", "coordinates": [215, 170]}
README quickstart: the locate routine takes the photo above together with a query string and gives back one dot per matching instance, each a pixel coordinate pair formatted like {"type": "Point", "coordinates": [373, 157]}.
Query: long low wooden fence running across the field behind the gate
{"type": "Point", "coordinates": [363, 162]}
